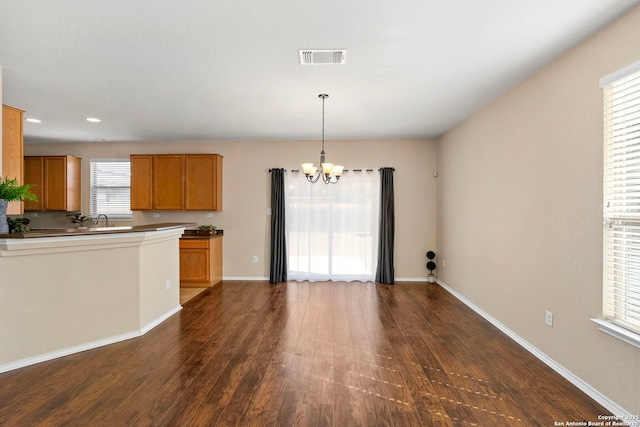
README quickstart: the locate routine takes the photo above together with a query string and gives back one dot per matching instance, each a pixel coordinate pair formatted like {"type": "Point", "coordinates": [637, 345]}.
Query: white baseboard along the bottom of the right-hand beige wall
{"type": "Point", "coordinates": [568, 375]}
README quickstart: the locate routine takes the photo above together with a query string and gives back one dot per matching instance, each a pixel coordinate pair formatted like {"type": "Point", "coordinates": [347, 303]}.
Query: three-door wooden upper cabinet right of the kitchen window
{"type": "Point", "coordinates": [176, 182]}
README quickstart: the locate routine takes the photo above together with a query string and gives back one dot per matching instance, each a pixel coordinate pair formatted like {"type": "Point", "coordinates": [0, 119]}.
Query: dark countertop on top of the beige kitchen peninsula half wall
{"type": "Point", "coordinates": [61, 232]}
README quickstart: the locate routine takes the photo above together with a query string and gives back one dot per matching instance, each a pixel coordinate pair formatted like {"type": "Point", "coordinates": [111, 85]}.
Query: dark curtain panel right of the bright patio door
{"type": "Point", "coordinates": [384, 272]}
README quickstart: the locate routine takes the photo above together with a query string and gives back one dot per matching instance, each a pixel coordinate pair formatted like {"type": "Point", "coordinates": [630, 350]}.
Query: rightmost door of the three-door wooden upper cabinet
{"type": "Point", "coordinates": [201, 182]}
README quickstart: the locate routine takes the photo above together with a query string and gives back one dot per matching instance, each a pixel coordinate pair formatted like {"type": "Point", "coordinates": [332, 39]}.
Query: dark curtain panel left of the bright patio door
{"type": "Point", "coordinates": [278, 262]}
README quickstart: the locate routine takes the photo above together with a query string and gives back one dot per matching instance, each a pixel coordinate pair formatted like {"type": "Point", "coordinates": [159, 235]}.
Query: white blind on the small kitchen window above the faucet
{"type": "Point", "coordinates": [111, 188]}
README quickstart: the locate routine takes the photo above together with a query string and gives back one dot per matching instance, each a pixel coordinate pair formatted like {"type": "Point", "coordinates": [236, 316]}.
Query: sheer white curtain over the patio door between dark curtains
{"type": "Point", "coordinates": [332, 229]}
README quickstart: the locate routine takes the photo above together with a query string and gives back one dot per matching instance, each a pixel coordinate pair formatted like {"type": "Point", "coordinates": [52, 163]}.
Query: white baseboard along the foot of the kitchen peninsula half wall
{"type": "Point", "coordinates": [87, 346]}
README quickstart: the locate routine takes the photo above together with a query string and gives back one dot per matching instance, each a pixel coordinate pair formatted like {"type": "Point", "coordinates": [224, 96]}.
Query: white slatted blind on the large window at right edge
{"type": "Point", "coordinates": [621, 290]}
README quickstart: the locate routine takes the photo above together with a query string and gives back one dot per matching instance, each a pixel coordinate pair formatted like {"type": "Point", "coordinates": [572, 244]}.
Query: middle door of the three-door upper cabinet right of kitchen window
{"type": "Point", "coordinates": [168, 182]}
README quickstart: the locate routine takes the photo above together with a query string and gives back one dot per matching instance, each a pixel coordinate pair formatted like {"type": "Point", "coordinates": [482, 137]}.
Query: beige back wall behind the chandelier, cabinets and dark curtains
{"type": "Point", "coordinates": [247, 191]}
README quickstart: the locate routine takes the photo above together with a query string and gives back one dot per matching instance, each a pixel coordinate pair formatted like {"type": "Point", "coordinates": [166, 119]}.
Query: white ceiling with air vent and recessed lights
{"type": "Point", "coordinates": [206, 70]}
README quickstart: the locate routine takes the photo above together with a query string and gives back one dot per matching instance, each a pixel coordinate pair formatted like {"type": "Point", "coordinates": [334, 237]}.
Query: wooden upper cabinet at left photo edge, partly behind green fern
{"type": "Point", "coordinates": [12, 150]}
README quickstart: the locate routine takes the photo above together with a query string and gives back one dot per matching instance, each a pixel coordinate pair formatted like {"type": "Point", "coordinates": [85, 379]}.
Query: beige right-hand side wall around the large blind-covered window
{"type": "Point", "coordinates": [520, 212]}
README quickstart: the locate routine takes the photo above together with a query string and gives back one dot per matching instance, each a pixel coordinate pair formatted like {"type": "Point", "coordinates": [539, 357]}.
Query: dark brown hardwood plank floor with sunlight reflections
{"type": "Point", "coordinates": [302, 354]}
